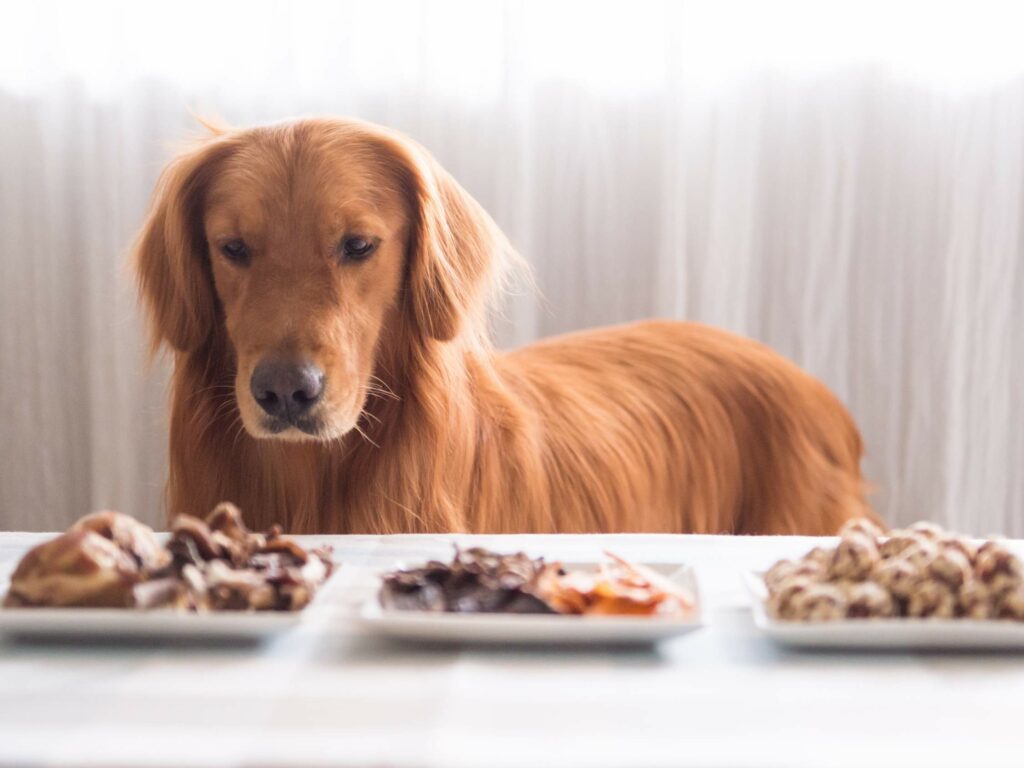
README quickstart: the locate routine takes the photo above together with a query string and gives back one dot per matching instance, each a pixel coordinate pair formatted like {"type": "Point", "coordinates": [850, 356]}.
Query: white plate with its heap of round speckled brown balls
{"type": "Point", "coordinates": [920, 588]}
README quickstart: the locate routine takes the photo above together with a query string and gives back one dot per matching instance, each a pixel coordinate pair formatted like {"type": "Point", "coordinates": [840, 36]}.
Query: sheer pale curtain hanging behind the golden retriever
{"type": "Point", "coordinates": [842, 181]}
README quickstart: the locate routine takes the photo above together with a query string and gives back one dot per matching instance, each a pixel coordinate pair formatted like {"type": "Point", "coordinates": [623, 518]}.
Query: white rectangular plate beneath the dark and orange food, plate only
{"type": "Point", "coordinates": [535, 629]}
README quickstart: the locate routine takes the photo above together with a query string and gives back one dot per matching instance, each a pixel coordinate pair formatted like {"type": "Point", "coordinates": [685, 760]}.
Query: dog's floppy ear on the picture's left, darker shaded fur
{"type": "Point", "coordinates": [172, 258]}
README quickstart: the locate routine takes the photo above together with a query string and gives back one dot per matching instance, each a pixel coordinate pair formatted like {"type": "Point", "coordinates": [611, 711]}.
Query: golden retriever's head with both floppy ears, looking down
{"type": "Point", "coordinates": [309, 246]}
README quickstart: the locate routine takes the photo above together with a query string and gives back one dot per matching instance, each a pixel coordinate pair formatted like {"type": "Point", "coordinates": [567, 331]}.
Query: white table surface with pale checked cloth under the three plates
{"type": "Point", "coordinates": [721, 697]}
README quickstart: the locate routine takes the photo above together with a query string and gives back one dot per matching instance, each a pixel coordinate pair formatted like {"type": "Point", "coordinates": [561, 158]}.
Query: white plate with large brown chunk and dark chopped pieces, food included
{"type": "Point", "coordinates": [110, 577]}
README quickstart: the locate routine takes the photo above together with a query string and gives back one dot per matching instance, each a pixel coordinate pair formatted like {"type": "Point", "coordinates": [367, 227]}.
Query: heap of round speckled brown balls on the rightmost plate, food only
{"type": "Point", "coordinates": [923, 572]}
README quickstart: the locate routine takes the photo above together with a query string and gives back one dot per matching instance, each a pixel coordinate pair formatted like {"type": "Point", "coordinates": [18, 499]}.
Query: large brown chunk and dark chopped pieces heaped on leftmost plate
{"type": "Point", "coordinates": [110, 560]}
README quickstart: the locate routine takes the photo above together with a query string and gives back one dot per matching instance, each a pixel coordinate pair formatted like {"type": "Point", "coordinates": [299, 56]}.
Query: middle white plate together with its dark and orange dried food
{"type": "Point", "coordinates": [487, 598]}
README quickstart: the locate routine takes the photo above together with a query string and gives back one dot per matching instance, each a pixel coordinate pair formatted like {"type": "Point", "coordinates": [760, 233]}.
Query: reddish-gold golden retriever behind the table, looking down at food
{"type": "Point", "coordinates": [323, 285]}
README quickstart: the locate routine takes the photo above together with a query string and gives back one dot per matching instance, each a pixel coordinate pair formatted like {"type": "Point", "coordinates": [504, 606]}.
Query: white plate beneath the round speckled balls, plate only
{"type": "Point", "coordinates": [882, 634]}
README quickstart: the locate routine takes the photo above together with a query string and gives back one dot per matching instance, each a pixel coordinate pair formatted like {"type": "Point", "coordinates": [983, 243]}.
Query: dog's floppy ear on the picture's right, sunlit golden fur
{"type": "Point", "coordinates": [455, 247]}
